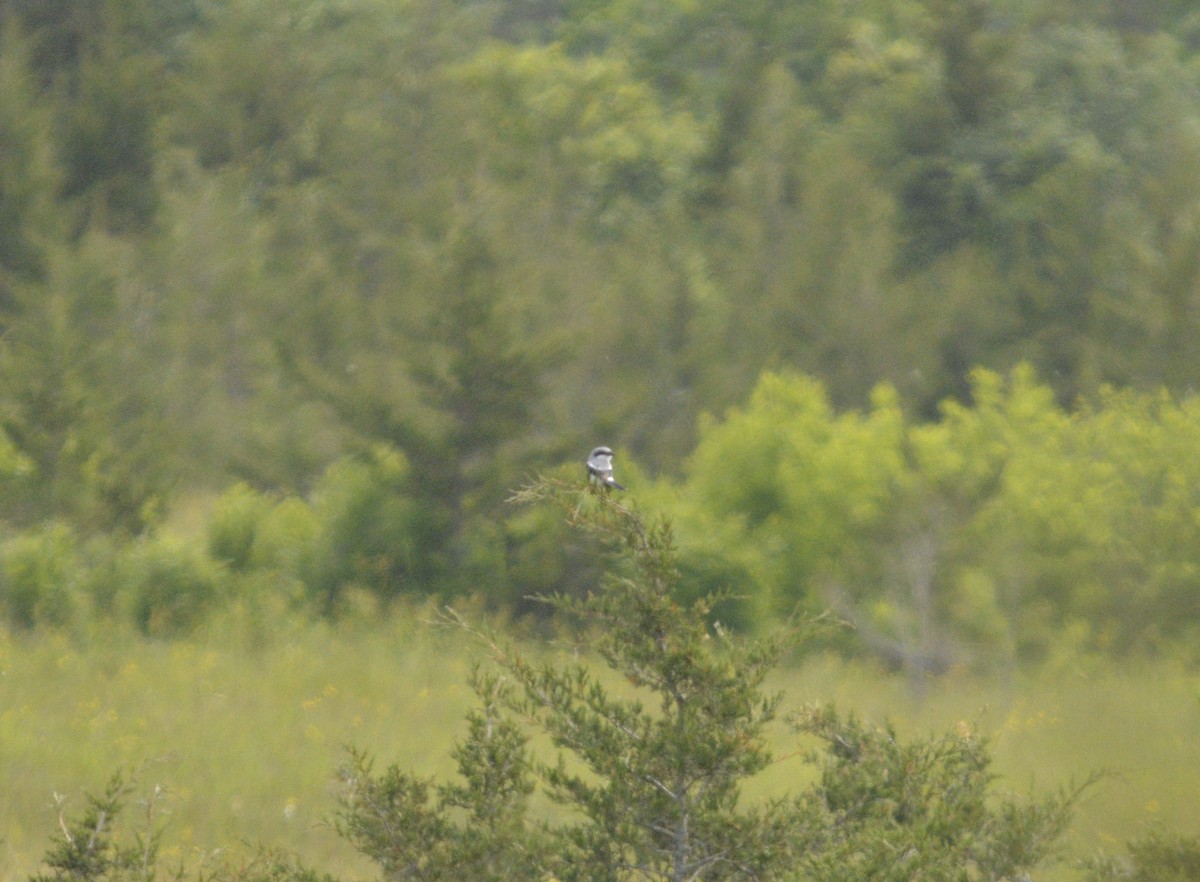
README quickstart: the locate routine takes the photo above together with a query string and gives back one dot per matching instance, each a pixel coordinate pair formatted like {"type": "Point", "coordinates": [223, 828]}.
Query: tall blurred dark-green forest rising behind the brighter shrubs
{"type": "Point", "coordinates": [347, 223]}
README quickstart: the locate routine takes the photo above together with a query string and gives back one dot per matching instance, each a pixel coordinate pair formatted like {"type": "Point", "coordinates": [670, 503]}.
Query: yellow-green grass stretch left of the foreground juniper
{"type": "Point", "coordinates": [244, 734]}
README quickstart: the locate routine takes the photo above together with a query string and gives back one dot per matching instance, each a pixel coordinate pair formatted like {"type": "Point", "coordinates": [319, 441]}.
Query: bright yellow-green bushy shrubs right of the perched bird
{"type": "Point", "coordinates": [983, 533]}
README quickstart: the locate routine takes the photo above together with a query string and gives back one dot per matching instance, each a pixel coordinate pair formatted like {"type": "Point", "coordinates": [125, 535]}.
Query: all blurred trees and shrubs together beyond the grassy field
{"type": "Point", "coordinates": [895, 307]}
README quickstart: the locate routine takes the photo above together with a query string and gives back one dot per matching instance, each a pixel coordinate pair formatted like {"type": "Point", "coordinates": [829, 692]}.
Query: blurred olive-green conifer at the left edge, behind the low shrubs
{"type": "Point", "coordinates": [74, 399]}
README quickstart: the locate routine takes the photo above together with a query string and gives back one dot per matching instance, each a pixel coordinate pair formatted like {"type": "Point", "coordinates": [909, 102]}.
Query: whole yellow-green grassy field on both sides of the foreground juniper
{"type": "Point", "coordinates": [245, 727]}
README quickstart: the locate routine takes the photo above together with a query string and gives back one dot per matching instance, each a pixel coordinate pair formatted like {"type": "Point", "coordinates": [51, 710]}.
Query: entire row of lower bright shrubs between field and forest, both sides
{"type": "Point", "coordinates": [980, 538]}
